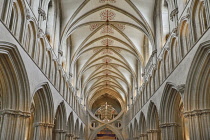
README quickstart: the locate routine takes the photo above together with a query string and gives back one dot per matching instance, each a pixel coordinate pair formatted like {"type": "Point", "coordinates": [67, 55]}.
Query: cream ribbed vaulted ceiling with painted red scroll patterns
{"type": "Point", "coordinates": [110, 42]}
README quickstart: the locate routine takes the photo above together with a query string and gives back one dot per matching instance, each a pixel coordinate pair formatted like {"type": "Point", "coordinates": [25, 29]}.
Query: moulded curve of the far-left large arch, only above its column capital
{"type": "Point", "coordinates": [12, 71]}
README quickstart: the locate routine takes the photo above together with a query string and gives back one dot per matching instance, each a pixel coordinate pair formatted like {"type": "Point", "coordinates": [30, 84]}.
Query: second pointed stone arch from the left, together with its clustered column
{"type": "Point", "coordinates": [43, 112]}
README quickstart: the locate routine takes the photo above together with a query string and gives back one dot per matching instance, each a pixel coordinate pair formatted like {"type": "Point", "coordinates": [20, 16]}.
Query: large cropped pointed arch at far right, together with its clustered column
{"type": "Point", "coordinates": [197, 97]}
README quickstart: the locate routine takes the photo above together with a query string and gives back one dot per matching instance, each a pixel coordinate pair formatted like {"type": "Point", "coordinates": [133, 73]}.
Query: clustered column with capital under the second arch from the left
{"type": "Point", "coordinates": [43, 131]}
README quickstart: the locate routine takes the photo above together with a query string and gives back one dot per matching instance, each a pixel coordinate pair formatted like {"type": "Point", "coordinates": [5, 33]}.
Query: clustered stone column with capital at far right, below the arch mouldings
{"type": "Point", "coordinates": [197, 124]}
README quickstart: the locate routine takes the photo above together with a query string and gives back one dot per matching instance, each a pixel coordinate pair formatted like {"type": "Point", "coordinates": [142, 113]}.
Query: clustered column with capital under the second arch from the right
{"type": "Point", "coordinates": [169, 131]}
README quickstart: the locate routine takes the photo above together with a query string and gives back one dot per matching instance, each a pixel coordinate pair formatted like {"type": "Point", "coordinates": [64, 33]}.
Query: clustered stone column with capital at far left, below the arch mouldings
{"type": "Point", "coordinates": [13, 124]}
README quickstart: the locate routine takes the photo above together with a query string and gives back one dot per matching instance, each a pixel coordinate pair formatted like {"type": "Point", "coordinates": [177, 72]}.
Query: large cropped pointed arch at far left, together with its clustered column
{"type": "Point", "coordinates": [14, 96]}
